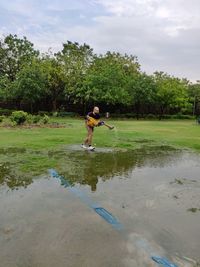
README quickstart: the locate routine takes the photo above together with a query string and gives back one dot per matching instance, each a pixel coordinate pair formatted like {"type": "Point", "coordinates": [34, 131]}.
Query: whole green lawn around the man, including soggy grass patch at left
{"type": "Point", "coordinates": [28, 149]}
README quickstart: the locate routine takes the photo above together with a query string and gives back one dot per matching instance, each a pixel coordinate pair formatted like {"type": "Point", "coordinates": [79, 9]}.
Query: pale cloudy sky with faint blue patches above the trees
{"type": "Point", "coordinates": [163, 34]}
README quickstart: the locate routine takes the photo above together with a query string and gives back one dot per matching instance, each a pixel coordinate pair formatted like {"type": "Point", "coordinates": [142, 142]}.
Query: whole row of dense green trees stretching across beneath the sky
{"type": "Point", "coordinates": [75, 79]}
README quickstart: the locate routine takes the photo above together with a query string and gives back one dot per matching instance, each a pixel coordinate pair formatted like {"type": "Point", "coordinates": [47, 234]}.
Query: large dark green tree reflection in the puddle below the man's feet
{"type": "Point", "coordinates": [87, 168]}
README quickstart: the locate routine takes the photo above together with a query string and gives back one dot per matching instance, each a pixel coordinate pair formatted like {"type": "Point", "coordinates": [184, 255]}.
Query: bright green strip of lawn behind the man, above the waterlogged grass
{"type": "Point", "coordinates": [127, 133]}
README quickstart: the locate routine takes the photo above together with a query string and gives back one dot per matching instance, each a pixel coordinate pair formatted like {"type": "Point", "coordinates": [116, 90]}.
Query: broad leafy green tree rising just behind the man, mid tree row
{"type": "Point", "coordinates": [108, 79]}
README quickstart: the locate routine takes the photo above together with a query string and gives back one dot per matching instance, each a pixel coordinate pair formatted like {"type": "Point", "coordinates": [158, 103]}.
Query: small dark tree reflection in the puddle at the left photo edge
{"type": "Point", "coordinates": [12, 179]}
